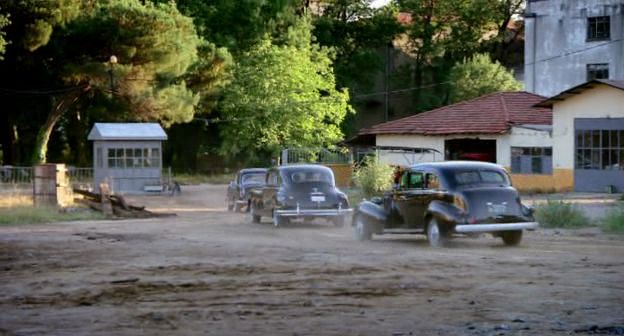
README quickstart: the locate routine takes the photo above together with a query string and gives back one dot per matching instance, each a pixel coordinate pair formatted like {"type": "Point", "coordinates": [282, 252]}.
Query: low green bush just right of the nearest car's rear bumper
{"type": "Point", "coordinates": [558, 214]}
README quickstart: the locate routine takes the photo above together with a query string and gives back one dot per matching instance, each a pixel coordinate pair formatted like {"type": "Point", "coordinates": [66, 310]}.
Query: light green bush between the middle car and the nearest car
{"type": "Point", "coordinates": [374, 177]}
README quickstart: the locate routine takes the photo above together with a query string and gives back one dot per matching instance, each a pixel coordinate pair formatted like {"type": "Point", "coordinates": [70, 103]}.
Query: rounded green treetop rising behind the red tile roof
{"type": "Point", "coordinates": [477, 76]}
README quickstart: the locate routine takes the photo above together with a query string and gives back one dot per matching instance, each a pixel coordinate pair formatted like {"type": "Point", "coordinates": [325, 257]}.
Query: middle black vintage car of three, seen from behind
{"type": "Point", "coordinates": [299, 191]}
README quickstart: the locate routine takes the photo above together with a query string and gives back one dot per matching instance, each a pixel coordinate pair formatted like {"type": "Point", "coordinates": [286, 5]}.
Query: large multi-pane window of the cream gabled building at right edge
{"type": "Point", "coordinates": [600, 149]}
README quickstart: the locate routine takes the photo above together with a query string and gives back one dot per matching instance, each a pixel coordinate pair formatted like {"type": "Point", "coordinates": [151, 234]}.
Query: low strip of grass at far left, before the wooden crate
{"type": "Point", "coordinates": [35, 215]}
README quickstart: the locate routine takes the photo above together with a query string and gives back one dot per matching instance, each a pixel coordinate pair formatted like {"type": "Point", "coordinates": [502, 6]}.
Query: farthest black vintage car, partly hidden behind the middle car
{"type": "Point", "coordinates": [240, 189]}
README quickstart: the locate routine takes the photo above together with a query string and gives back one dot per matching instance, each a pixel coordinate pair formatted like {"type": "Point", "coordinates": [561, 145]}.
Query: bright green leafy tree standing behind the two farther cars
{"type": "Point", "coordinates": [283, 96]}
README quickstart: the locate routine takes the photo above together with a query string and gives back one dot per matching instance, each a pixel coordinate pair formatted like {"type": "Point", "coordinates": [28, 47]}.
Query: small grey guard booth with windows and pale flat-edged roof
{"type": "Point", "coordinates": [128, 156]}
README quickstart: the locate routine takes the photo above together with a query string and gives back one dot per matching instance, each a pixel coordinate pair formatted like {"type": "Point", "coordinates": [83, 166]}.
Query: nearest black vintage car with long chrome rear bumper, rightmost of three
{"type": "Point", "coordinates": [446, 198]}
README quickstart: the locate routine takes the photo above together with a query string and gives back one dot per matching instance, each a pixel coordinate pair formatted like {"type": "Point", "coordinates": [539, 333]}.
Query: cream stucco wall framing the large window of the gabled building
{"type": "Point", "coordinates": [600, 102]}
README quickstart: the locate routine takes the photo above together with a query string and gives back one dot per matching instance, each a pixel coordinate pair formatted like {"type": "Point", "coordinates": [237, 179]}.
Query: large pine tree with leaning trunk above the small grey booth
{"type": "Point", "coordinates": [164, 71]}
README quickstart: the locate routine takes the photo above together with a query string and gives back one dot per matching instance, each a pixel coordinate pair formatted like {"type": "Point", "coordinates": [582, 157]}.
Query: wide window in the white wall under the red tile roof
{"type": "Point", "coordinates": [531, 160]}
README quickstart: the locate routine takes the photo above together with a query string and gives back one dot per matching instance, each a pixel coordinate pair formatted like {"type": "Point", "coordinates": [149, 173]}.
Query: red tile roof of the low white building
{"type": "Point", "coordinates": [490, 114]}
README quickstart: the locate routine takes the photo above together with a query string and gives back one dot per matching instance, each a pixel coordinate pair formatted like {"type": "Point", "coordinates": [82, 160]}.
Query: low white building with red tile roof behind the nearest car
{"type": "Point", "coordinates": [503, 128]}
